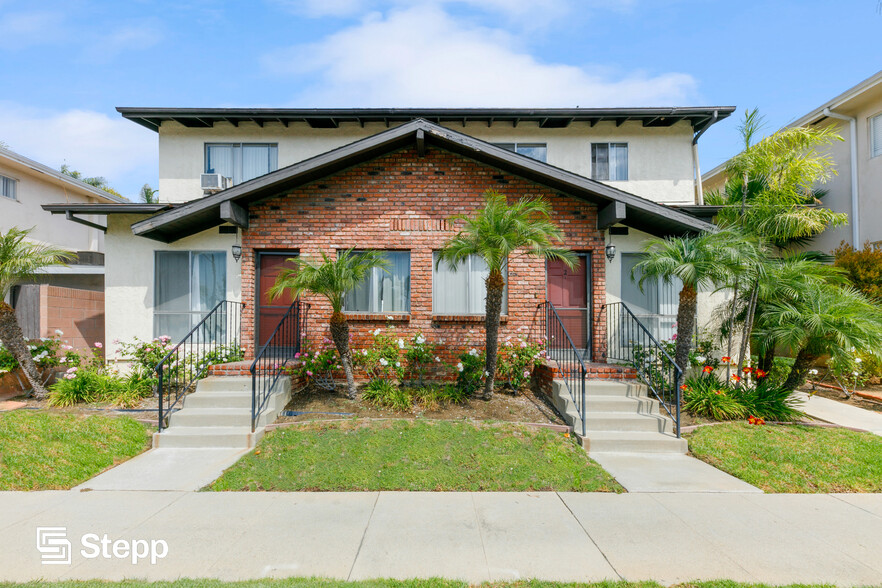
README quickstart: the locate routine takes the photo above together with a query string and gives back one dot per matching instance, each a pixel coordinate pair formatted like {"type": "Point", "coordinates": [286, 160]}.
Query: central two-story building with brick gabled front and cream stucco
{"type": "Point", "coordinates": [309, 181]}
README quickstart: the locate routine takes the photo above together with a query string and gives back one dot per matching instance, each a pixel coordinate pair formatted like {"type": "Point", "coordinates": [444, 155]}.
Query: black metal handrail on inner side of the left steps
{"type": "Point", "coordinates": [270, 362]}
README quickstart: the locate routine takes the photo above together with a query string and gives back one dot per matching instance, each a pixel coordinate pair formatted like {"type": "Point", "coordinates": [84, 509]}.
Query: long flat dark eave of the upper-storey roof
{"type": "Point", "coordinates": [152, 118]}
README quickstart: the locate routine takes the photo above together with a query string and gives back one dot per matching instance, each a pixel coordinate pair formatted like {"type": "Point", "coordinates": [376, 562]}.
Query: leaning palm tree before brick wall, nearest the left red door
{"type": "Point", "coordinates": [331, 278]}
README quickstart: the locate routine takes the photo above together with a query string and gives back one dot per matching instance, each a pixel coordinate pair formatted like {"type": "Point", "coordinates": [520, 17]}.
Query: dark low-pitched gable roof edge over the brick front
{"type": "Point", "coordinates": [204, 213]}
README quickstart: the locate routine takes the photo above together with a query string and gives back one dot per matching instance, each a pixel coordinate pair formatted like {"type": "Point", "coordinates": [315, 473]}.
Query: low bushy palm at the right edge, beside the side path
{"type": "Point", "coordinates": [823, 319]}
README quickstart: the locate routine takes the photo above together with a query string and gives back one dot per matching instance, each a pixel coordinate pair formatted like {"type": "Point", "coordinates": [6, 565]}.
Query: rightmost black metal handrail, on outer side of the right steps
{"type": "Point", "coordinates": [629, 341]}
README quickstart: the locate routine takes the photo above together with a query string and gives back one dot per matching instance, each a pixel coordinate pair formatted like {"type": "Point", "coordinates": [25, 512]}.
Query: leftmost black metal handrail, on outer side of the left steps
{"type": "Point", "coordinates": [215, 339]}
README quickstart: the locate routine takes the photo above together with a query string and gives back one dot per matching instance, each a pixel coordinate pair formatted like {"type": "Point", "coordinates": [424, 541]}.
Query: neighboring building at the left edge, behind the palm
{"type": "Point", "coordinates": [68, 298]}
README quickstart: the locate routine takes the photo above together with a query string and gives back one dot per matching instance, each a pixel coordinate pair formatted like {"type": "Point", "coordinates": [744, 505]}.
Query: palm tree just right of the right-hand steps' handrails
{"type": "Point", "coordinates": [699, 261]}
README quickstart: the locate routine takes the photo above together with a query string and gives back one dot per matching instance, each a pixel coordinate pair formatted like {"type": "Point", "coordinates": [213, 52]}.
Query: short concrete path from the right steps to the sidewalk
{"type": "Point", "coordinates": [668, 472]}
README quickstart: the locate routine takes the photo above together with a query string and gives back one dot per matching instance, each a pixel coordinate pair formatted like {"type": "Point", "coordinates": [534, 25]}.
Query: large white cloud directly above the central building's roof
{"type": "Point", "coordinates": [424, 57]}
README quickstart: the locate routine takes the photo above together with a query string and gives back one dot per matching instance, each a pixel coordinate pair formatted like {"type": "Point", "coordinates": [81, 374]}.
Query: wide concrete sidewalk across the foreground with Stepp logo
{"type": "Point", "coordinates": [768, 538]}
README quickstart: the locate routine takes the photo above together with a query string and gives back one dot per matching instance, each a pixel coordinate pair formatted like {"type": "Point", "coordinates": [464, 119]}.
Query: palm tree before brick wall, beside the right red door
{"type": "Point", "coordinates": [495, 233]}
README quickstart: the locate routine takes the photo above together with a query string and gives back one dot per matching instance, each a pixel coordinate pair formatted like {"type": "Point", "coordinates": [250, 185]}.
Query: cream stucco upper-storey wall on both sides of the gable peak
{"type": "Point", "coordinates": [659, 159]}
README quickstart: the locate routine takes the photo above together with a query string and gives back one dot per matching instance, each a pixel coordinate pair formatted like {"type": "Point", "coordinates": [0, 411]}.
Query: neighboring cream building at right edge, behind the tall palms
{"type": "Point", "coordinates": [857, 189]}
